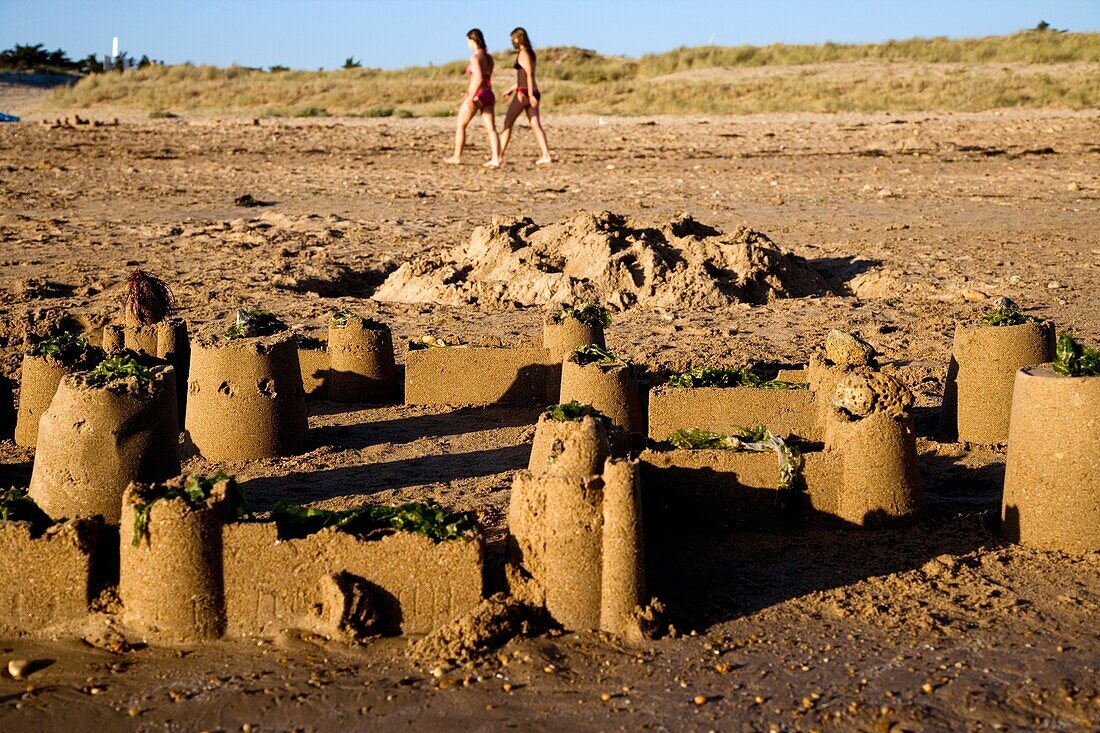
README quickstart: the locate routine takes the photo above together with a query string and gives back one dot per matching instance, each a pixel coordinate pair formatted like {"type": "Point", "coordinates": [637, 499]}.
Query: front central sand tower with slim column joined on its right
{"type": "Point", "coordinates": [577, 543]}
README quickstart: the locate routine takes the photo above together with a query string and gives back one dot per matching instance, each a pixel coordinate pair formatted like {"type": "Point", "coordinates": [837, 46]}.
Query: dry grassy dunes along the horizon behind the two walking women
{"type": "Point", "coordinates": [1025, 70]}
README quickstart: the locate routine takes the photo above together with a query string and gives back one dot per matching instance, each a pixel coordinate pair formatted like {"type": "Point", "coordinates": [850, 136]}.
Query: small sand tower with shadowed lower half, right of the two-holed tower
{"type": "Point", "coordinates": [361, 363]}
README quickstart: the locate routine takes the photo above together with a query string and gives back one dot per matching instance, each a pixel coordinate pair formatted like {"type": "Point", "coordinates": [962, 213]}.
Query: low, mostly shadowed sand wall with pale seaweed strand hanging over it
{"type": "Point", "coordinates": [733, 488]}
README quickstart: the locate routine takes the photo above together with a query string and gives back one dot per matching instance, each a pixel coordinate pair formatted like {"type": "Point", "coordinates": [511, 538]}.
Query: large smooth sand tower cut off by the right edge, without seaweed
{"type": "Point", "coordinates": [1052, 480]}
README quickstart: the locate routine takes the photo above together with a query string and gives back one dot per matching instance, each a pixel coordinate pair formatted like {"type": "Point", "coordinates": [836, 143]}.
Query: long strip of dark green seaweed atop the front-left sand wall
{"type": "Point", "coordinates": [427, 520]}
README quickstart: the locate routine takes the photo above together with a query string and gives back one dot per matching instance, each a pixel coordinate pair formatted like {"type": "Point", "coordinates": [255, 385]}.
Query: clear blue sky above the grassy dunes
{"type": "Point", "coordinates": [392, 35]}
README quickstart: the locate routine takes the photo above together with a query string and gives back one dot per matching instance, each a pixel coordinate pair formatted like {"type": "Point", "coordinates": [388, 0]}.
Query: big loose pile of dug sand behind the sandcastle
{"type": "Point", "coordinates": [604, 258]}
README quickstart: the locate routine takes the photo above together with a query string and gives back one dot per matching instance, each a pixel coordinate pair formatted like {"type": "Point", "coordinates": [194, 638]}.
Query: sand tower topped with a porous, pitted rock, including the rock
{"type": "Point", "coordinates": [871, 430]}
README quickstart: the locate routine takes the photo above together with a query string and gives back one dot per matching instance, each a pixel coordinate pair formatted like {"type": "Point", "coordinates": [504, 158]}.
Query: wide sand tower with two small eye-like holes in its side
{"type": "Point", "coordinates": [246, 399]}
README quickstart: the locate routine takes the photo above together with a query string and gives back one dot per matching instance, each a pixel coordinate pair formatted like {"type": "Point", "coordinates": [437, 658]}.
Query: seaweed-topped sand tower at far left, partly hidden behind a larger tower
{"type": "Point", "coordinates": [46, 364]}
